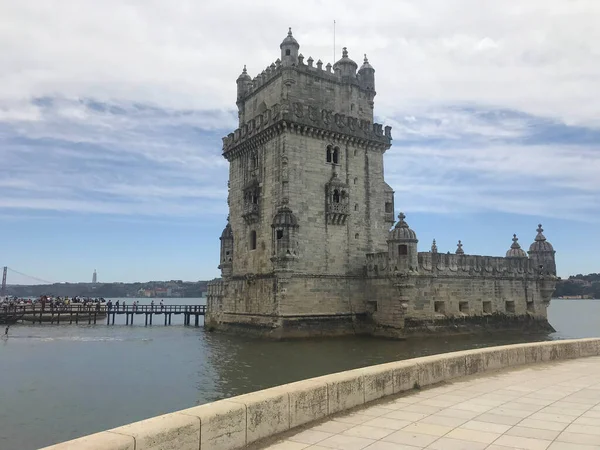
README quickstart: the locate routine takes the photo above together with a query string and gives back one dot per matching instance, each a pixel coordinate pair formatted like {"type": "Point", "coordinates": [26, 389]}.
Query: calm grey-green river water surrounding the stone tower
{"type": "Point", "coordinates": [58, 382]}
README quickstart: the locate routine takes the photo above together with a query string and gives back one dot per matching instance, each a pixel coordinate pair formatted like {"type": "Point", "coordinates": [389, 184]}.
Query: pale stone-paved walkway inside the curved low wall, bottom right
{"type": "Point", "coordinates": [548, 406]}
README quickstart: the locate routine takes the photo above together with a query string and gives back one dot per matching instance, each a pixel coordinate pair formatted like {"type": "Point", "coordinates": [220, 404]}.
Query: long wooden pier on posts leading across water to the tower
{"type": "Point", "coordinates": [92, 314]}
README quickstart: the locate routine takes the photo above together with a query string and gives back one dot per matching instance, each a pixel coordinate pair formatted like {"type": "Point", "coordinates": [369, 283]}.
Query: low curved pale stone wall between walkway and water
{"type": "Point", "coordinates": [239, 421]}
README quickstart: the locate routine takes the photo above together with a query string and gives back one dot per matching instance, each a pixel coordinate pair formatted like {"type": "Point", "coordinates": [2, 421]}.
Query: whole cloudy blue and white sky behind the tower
{"type": "Point", "coordinates": [112, 113]}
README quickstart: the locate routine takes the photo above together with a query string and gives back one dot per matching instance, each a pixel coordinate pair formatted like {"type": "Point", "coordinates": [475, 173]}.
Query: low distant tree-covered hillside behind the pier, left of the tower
{"type": "Point", "coordinates": [152, 289]}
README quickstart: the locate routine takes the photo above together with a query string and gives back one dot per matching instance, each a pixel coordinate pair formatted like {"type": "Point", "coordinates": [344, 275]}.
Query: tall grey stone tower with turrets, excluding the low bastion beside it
{"type": "Point", "coordinates": [307, 198]}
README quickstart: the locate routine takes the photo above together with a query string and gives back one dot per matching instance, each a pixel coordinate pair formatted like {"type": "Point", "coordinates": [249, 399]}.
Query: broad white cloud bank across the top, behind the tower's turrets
{"type": "Point", "coordinates": [539, 56]}
